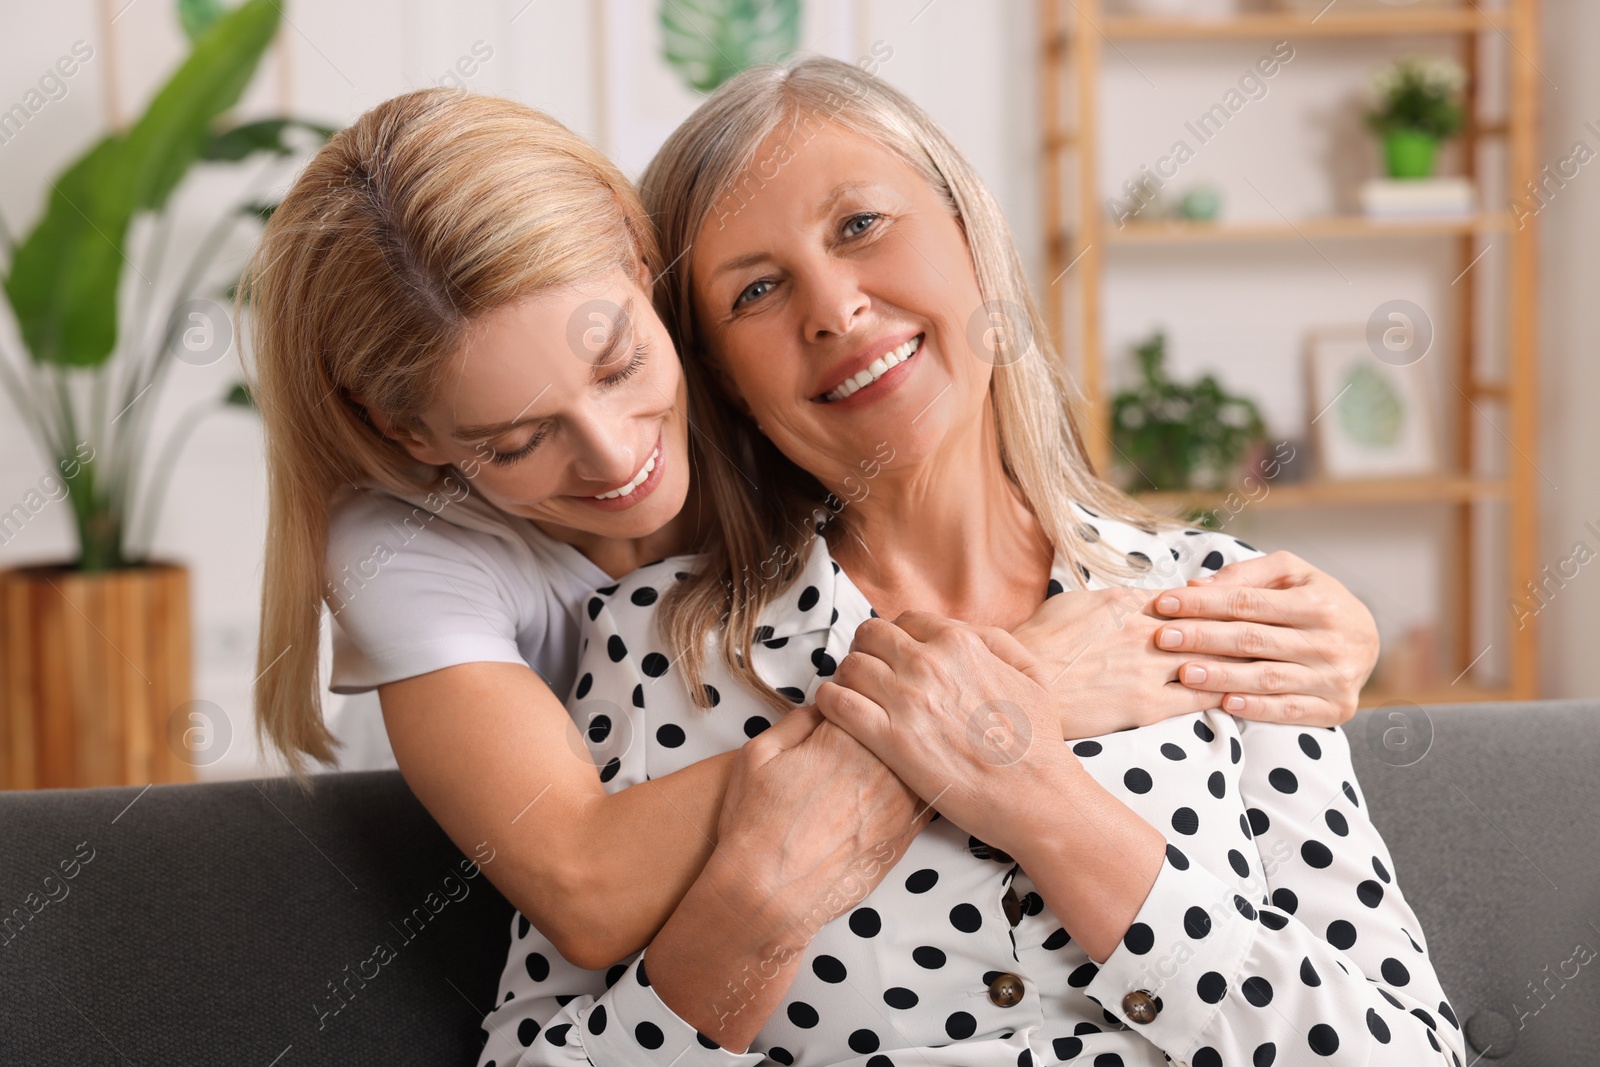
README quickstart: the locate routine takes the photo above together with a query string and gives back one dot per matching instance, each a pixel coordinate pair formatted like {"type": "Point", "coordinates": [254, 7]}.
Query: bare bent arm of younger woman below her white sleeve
{"type": "Point", "coordinates": [494, 757]}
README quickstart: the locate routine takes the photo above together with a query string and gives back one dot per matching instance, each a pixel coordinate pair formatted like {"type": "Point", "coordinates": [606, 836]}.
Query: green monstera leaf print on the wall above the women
{"type": "Point", "coordinates": [711, 41]}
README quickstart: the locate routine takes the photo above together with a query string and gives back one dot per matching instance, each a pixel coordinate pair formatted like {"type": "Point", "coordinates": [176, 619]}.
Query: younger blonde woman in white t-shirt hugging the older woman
{"type": "Point", "coordinates": [474, 418]}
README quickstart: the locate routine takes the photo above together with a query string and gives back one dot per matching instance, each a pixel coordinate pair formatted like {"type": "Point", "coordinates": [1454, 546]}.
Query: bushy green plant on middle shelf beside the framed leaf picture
{"type": "Point", "coordinates": [1174, 436]}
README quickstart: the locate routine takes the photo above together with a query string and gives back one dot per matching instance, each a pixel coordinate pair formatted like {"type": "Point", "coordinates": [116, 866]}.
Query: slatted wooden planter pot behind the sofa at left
{"type": "Point", "coordinates": [94, 669]}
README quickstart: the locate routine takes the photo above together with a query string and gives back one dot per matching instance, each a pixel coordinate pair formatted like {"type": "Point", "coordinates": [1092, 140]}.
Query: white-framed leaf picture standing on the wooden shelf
{"type": "Point", "coordinates": [1372, 420]}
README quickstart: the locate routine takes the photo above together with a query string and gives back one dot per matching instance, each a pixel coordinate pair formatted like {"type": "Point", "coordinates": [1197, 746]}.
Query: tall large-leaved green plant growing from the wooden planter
{"type": "Point", "coordinates": [89, 383]}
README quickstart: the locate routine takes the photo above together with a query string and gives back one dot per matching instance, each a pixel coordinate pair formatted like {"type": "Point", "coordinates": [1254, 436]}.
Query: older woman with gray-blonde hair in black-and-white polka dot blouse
{"type": "Point", "coordinates": [1198, 890]}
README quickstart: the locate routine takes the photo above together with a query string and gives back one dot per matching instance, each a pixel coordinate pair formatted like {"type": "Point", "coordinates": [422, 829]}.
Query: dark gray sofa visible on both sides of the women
{"type": "Point", "coordinates": [234, 922]}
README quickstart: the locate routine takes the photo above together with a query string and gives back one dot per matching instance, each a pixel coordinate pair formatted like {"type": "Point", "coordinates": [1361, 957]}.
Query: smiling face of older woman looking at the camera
{"type": "Point", "coordinates": [836, 300]}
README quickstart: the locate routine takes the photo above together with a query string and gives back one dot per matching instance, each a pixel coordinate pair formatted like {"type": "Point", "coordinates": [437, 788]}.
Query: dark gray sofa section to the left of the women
{"type": "Point", "coordinates": [244, 924]}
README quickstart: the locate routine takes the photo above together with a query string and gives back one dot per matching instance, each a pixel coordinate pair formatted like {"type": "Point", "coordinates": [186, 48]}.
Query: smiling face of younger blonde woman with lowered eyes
{"type": "Point", "coordinates": [567, 409]}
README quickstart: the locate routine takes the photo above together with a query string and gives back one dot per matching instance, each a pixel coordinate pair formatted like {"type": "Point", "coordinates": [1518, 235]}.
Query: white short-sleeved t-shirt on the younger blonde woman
{"type": "Point", "coordinates": [430, 581]}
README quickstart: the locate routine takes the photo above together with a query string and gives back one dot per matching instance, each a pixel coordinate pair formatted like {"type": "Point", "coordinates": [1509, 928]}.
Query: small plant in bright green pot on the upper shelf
{"type": "Point", "coordinates": [1417, 103]}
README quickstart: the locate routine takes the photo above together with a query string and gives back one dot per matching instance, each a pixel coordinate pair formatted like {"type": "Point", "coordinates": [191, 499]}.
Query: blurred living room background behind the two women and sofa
{"type": "Point", "coordinates": [1326, 274]}
